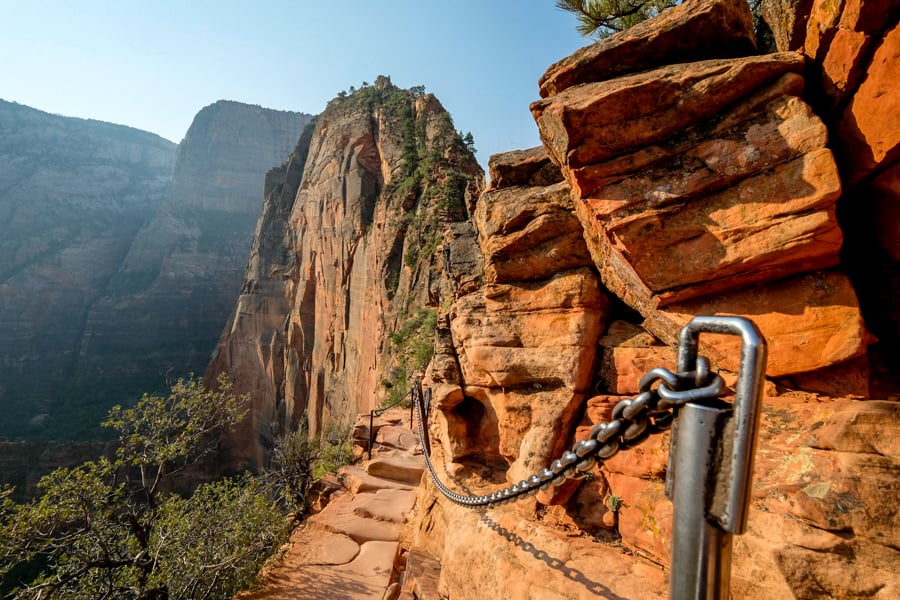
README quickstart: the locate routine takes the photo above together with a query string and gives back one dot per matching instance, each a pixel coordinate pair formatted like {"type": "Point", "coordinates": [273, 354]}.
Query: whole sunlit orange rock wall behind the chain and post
{"type": "Point", "coordinates": [680, 174]}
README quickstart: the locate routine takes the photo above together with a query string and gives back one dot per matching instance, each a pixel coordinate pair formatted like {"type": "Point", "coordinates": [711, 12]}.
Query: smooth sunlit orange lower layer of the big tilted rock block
{"type": "Point", "coordinates": [765, 227]}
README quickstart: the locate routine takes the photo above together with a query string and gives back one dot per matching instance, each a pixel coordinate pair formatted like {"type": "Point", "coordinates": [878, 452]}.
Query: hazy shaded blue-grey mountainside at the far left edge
{"type": "Point", "coordinates": [73, 194]}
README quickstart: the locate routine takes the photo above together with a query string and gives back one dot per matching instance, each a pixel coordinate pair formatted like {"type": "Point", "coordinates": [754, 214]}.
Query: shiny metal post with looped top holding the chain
{"type": "Point", "coordinates": [711, 466]}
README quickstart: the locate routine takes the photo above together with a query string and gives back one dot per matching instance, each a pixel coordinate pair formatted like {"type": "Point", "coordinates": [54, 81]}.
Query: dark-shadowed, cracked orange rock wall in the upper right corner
{"type": "Point", "coordinates": [853, 49]}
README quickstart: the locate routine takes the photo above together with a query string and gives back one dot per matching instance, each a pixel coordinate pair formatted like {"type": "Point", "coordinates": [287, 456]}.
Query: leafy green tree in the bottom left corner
{"type": "Point", "coordinates": [114, 528]}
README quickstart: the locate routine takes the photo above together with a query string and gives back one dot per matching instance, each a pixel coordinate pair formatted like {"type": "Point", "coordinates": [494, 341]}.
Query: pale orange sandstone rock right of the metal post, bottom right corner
{"type": "Point", "coordinates": [821, 518]}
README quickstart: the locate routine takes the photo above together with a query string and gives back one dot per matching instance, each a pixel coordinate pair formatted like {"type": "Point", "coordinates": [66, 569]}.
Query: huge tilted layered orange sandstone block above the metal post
{"type": "Point", "coordinates": [744, 195]}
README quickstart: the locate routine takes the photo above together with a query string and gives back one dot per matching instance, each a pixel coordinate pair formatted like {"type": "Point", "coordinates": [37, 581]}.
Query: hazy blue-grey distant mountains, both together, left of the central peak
{"type": "Point", "coordinates": [123, 255]}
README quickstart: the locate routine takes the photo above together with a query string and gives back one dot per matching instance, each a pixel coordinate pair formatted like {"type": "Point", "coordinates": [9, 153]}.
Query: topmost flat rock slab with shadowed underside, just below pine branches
{"type": "Point", "coordinates": [694, 30]}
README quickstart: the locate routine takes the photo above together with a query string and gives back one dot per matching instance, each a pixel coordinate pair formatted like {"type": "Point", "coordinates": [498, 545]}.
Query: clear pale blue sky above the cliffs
{"type": "Point", "coordinates": [153, 64]}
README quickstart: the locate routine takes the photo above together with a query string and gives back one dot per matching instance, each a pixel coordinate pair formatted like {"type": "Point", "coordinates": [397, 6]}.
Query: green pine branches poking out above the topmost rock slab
{"type": "Point", "coordinates": [602, 18]}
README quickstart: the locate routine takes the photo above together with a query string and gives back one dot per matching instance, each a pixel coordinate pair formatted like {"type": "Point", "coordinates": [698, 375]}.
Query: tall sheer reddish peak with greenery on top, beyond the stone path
{"type": "Point", "coordinates": [344, 256]}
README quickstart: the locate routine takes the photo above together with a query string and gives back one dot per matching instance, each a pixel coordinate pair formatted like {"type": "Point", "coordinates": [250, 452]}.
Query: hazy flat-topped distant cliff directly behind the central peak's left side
{"type": "Point", "coordinates": [177, 283]}
